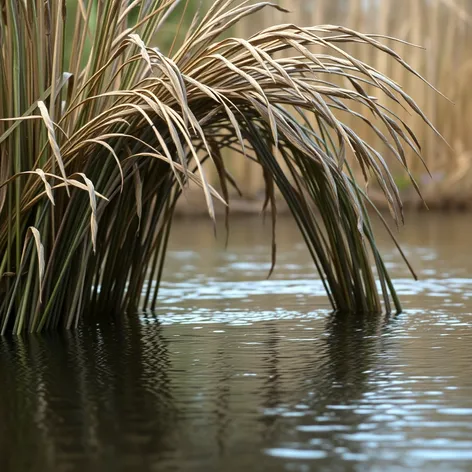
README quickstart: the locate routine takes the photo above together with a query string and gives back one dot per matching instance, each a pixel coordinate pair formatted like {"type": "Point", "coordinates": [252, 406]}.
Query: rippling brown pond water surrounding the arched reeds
{"type": "Point", "coordinates": [237, 373]}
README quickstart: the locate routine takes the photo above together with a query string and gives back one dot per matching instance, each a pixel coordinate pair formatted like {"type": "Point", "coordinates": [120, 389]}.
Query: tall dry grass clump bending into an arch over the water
{"type": "Point", "coordinates": [96, 149]}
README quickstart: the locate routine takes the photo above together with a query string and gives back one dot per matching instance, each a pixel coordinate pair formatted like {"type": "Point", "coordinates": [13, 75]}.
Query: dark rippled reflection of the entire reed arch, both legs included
{"type": "Point", "coordinates": [102, 398]}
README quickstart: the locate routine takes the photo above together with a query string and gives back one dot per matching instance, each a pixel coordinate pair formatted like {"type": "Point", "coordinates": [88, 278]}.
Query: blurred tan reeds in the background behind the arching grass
{"type": "Point", "coordinates": [444, 30]}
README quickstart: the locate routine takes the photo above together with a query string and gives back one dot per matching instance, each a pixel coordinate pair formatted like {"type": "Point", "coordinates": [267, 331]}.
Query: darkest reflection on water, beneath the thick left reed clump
{"type": "Point", "coordinates": [97, 399]}
